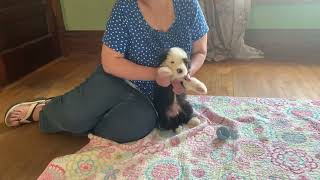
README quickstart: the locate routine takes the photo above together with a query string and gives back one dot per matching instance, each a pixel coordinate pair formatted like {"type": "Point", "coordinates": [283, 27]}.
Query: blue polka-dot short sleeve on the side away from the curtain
{"type": "Point", "coordinates": [116, 34]}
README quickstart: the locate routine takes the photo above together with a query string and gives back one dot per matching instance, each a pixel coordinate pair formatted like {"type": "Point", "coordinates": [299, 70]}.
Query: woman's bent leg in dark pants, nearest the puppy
{"type": "Point", "coordinates": [128, 122]}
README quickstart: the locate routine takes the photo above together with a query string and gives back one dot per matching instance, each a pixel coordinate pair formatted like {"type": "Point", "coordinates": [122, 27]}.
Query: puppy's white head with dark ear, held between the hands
{"type": "Point", "coordinates": [177, 60]}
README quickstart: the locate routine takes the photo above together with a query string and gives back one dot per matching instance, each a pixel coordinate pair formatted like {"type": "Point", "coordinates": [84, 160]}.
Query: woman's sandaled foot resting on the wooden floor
{"type": "Point", "coordinates": [24, 113]}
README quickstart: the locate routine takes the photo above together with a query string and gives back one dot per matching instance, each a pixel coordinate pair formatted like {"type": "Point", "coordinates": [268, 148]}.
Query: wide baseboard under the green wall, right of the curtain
{"type": "Point", "coordinates": [285, 43]}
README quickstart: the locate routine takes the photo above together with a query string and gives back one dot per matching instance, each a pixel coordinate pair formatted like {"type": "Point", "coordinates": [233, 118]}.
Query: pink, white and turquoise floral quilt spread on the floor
{"type": "Point", "coordinates": [278, 139]}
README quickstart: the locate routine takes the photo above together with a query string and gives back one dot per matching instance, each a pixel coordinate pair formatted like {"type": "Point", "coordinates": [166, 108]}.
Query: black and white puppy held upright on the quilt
{"type": "Point", "coordinates": [173, 109]}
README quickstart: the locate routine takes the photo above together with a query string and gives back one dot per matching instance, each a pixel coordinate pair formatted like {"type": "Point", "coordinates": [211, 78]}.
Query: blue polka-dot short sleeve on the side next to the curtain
{"type": "Point", "coordinates": [199, 25]}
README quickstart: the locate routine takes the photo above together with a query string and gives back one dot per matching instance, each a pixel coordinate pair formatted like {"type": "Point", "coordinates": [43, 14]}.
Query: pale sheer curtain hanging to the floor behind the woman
{"type": "Point", "coordinates": [227, 20]}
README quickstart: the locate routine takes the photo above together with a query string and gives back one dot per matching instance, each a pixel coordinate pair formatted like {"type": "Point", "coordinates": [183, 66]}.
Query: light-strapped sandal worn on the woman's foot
{"type": "Point", "coordinates": [28, 117]}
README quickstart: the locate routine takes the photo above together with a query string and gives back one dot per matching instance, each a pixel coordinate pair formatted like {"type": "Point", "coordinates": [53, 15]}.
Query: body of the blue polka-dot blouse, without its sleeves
{"type": "Point", "coordinates": [145, 44]}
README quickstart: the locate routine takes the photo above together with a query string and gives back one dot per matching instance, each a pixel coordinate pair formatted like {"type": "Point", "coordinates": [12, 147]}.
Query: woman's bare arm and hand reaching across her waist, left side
{"type": "Point", "coordinates": [114, 63]}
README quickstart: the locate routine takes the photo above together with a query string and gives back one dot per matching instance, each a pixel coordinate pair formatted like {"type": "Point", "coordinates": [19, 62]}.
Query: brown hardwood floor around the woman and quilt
{"type": "Point", "coordinates": [25, 151]}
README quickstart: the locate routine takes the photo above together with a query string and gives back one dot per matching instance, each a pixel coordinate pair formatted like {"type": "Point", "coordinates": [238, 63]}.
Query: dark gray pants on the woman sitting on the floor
{"type": "Point", "coordinates": [103, 105]}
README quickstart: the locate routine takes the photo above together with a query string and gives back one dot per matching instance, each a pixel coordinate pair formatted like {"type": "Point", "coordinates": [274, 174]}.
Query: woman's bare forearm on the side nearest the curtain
{"type": "Point", "coordinates": [199, 53]}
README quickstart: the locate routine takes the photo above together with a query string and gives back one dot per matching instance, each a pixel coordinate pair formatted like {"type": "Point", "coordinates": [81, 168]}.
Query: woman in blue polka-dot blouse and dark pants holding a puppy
{"type": "Point", "coordinates": [115, 101]}
